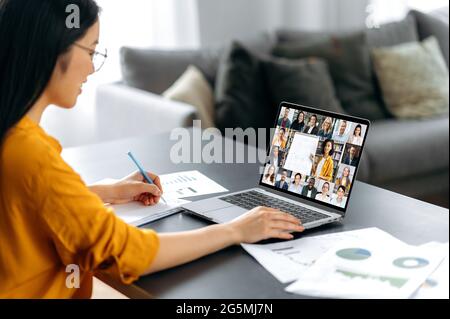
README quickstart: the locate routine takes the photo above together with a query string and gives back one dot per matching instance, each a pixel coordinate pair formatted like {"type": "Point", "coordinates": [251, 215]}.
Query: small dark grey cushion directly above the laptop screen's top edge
{"type": "Point", "coordinates": [305, 82]}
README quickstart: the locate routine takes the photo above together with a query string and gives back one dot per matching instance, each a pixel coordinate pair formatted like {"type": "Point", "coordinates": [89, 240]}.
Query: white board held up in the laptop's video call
{"type": "Point", "coordinates": [299, 156]}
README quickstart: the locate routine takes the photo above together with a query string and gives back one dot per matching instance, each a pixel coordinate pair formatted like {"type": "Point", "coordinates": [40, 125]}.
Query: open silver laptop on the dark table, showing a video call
{"type": "Point", "coordinates": [311, 167]}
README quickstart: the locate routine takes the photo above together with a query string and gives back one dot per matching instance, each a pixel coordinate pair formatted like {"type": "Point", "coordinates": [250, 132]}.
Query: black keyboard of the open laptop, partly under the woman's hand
{"type": "Point", "coordinates": [252, 199]}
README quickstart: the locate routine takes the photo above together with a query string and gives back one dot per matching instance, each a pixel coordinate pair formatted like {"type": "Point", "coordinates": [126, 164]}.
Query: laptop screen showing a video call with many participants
{"type": "Point", "coordinates": [315, 154]}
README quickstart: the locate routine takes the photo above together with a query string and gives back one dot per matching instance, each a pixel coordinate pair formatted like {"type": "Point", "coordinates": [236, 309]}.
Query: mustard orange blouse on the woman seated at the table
{"type": "Point", "coordinates": [49, 219]}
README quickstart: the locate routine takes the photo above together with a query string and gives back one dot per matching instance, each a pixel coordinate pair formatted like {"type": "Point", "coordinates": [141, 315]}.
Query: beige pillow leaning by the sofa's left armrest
{"type": "Point", "coordinates": [193, 88]}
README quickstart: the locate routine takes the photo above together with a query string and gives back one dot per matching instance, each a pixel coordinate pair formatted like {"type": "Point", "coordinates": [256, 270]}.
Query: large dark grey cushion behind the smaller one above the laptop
{"type": "Point", "coordinates": [348, 58]}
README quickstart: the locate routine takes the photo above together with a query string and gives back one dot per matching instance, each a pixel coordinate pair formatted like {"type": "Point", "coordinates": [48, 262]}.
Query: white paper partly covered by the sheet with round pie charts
{"type": "Point", "coordinates": [288, 260]}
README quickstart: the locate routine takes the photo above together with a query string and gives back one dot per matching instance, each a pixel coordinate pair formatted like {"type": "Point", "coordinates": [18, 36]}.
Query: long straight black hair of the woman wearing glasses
{"type": "Point", "coordinates": [33, 34]}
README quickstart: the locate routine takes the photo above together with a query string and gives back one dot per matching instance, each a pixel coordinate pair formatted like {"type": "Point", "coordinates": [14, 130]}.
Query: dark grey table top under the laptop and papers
{"type": "Point", "coordinates": [232, 273]}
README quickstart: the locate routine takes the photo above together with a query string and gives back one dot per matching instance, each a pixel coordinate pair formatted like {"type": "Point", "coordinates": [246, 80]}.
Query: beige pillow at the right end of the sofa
{"type": "Point", "coordinates": [414, 78]}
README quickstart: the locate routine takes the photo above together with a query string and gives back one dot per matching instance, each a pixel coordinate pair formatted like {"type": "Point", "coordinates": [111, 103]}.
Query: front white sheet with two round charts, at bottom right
{"type": "Point", "coordinates": [368, 269]}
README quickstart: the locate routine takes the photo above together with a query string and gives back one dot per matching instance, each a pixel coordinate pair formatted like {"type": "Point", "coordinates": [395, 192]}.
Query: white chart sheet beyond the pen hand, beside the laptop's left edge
{"type": "Point", "coordinates": [188, 184]}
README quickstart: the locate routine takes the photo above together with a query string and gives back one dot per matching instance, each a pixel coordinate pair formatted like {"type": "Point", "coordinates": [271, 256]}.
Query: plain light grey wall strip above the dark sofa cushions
{"type": "Point", "coordinates": [221, 20]}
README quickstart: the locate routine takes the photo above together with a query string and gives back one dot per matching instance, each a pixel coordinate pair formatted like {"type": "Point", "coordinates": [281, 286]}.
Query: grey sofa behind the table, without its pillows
{"type": "Point", "coordinates": [406, 156]}
